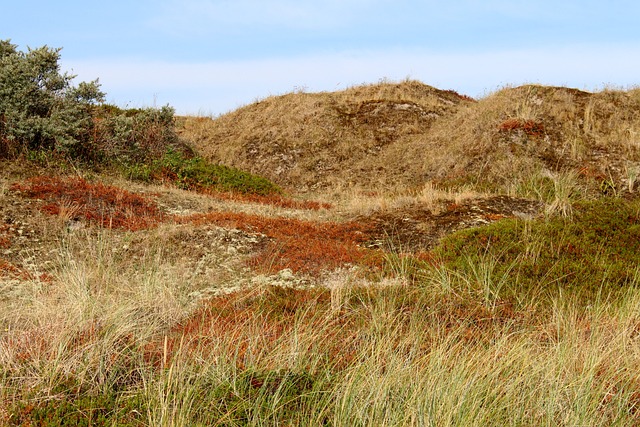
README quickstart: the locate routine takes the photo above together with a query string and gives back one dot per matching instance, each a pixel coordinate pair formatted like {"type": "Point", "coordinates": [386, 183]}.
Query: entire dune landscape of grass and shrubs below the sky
{"type": "Point", "coordinates": [143, 283]}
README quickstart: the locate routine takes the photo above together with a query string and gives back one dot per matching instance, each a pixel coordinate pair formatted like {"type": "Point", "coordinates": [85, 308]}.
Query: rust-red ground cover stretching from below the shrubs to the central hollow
{"type": "Point", "coordinates": [302, 246]}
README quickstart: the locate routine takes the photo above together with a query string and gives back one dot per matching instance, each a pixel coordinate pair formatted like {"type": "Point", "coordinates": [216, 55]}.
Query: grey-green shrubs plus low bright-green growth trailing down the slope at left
{"type": "Point", "coordinates": [43, 114]}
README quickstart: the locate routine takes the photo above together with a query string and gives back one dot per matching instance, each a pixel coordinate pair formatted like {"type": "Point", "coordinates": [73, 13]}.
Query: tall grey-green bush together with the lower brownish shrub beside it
{"type": "Point", "coordinates": [42, 111]}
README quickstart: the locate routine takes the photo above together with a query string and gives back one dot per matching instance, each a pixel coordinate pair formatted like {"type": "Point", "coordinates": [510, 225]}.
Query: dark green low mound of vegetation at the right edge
{"type": "Point", "coordinates": [593, 253]}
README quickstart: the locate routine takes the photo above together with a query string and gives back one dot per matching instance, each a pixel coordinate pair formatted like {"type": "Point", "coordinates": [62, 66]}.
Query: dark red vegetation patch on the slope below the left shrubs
{"type": "Point", "coordinates": [106, 205]}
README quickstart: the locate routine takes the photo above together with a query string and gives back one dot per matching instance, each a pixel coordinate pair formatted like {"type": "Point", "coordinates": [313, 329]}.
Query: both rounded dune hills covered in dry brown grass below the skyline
{"type": "Point", "coordinates": [407, 134]}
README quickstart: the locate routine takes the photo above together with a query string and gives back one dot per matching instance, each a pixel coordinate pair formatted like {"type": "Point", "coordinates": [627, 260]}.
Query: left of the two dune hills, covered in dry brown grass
{"type": "Point", "coordinates": [307, 141]}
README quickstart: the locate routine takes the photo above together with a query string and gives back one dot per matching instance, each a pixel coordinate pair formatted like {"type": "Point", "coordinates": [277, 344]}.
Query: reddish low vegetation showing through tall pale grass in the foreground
{"type": "Point", "coordinates": [255, 324]}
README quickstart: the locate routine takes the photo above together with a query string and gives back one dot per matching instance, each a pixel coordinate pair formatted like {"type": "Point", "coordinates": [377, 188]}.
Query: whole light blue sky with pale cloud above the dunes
{"type": "Point", "coordinates": [212, 56]}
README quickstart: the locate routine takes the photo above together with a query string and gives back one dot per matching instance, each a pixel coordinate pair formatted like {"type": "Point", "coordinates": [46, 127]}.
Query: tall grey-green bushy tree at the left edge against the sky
{"type": "Point", "coordinates": [39, 106]}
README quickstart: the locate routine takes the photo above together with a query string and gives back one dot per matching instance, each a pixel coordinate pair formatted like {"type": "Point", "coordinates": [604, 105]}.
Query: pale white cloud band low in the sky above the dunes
{"type": "Point", "coordinates": [217, 87]}
